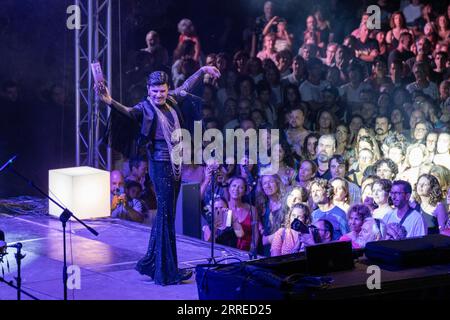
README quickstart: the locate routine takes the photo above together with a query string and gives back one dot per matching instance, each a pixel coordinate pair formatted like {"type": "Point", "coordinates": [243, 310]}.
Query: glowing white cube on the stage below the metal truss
{"type": "Point", "coordinates": [83, 190]}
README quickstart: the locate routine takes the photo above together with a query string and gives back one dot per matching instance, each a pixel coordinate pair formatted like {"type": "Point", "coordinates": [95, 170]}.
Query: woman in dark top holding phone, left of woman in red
{"type": "Point", "coordinates": [227, 228]}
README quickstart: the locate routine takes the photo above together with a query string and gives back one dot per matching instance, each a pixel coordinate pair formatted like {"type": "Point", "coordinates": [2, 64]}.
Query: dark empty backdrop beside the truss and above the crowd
{"type": "Point", "coordinates": [37, 52]}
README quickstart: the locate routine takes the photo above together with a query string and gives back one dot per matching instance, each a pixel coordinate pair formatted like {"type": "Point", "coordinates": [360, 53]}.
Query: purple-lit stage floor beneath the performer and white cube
{"type": "Point", "coordinates": [106, 262]}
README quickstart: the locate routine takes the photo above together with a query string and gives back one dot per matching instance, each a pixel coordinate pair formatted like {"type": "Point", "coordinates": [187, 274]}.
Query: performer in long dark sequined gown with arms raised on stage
{"type": "Point", "coordinates": [159, 116]}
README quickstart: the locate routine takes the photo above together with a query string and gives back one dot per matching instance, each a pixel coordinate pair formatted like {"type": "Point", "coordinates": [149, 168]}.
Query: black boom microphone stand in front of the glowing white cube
{"type": "Point", "coordinates": [64, 217]}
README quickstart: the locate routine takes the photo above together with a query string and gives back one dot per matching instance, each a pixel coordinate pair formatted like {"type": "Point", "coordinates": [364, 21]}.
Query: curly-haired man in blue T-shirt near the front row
{"type": "Point", "coordinates": [322, 193]}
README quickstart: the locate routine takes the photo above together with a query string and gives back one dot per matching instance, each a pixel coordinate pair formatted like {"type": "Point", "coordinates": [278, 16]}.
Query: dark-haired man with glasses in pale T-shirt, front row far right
{"type": "Point", "coordinates": [403, 214]}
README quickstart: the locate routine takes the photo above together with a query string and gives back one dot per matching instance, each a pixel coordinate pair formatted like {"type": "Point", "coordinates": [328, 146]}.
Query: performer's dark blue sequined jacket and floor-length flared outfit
{"type": "Point", "coordinates": [160, 262]}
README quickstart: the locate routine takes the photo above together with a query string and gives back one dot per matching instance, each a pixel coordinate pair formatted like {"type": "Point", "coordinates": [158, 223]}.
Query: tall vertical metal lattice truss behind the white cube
{"type": "Point", "coordinates": [92, 43]}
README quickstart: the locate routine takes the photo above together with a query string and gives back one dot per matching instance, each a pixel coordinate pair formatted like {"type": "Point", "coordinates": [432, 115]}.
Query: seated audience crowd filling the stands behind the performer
{"type": "Point", "coordinates": [364, 132]}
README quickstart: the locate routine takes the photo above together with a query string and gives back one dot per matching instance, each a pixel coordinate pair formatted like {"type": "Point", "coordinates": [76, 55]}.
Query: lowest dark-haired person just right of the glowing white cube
{"type": "Point", "coordinates": [129, 207]}
